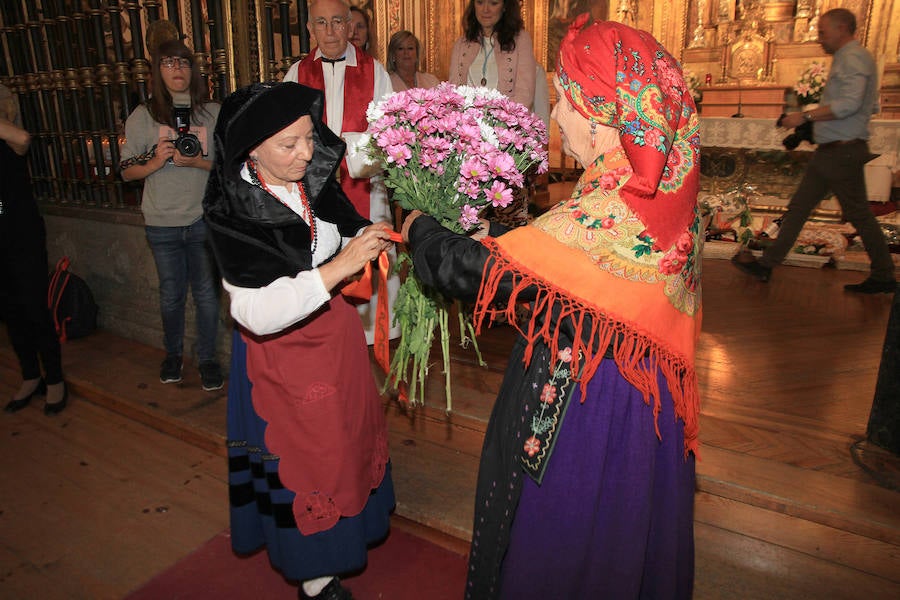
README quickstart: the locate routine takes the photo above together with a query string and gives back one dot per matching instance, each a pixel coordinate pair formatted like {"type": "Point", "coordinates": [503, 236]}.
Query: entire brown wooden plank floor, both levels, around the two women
{"type": "Point", "coordinates": [787, 370]}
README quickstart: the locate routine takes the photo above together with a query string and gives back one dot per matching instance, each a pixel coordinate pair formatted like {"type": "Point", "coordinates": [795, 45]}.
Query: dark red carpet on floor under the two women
{"type": "Point", "coordinates": [404, 567]}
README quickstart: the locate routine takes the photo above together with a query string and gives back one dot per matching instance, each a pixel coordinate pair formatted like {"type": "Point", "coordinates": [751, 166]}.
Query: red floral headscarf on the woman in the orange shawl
{"type": "Point", "coordinates": [622, 77]}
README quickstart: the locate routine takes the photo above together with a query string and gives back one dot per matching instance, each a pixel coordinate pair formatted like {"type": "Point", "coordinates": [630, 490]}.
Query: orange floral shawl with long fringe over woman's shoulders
{"type": "Point", "coordinates": [632, 308]}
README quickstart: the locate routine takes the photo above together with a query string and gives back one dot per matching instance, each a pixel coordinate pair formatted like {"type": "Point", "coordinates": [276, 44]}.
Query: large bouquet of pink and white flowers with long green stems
{"type": "Point", "coordinates": [449, 151]}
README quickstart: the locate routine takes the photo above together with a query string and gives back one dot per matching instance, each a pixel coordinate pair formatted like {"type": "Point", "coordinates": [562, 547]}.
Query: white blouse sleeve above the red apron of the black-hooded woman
{"type": "Point", "coordinates": [280, 304]}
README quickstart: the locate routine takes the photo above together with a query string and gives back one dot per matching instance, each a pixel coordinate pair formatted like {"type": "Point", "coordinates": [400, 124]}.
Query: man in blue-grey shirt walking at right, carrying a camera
{"type": "Point", "coordinates": [841, 130]}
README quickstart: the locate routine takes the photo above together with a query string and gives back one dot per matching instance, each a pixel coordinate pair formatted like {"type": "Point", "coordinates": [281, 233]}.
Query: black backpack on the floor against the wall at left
{"type": "Point", "coordinates": [71, 303]}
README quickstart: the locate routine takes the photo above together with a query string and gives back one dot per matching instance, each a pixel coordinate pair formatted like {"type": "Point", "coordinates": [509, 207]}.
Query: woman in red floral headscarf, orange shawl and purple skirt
{"type": "Point", "coordinates": [586, 482]}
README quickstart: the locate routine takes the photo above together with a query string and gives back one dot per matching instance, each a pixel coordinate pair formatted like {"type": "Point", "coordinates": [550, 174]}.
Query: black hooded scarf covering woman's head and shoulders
{"type": "Point", "coordinates": [256, 239]}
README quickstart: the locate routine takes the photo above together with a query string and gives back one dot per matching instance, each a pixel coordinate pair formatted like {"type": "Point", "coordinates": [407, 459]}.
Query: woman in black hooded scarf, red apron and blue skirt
{"type": "Point", "coordinates": [307, 441]}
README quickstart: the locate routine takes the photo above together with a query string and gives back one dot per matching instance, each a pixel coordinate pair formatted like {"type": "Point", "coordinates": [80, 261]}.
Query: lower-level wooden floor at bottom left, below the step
{"type": "Point", "coordinates": [93, 503]}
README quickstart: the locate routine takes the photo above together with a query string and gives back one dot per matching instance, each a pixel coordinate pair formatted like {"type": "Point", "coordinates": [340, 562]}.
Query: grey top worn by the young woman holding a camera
{"type": "Point", "coordinates": [172, 196]}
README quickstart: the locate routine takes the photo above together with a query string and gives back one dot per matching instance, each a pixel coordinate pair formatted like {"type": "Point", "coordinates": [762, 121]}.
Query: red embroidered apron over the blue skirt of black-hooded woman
{"type": "Point", "coordinates": [312, 384]}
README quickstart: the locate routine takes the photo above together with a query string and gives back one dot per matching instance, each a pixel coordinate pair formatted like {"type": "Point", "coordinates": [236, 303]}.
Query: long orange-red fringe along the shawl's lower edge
{"type": "Point", "coordinates": [639, 357]}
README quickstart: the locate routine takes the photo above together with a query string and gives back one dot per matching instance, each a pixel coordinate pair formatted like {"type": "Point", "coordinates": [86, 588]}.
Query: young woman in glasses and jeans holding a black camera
{"type": "Point", "coordinates": [169, 146]}
